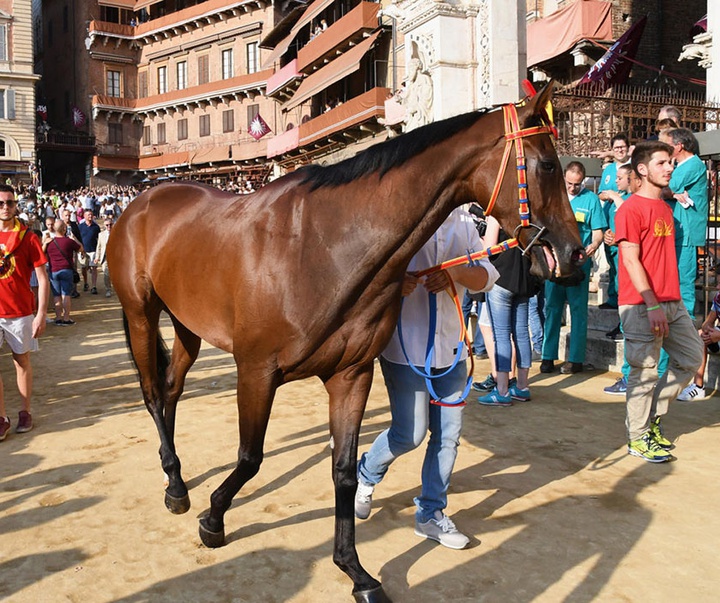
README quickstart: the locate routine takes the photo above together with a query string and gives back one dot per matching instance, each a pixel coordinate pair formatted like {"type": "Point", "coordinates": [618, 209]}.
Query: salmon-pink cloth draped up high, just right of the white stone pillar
{"type": "Point", "coordinates": [552, 36]}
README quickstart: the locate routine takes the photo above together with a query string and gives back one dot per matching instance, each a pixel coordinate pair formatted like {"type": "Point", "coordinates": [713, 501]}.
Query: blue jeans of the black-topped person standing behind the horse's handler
{"type": "Point", "coordinates": [509, 317]}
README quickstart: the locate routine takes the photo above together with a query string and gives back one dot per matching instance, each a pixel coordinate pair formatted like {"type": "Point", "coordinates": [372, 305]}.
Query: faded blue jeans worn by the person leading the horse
{"type": "Point", "coordinates": [412, 416]}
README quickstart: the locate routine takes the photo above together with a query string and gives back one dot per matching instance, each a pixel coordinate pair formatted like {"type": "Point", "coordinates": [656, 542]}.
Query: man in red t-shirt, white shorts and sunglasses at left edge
{"type": "Point", "coordinates": [20, 255]}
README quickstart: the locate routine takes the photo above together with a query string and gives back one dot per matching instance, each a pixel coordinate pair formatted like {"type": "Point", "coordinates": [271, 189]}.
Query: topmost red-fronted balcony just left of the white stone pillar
{"type": "Point", "coordinates": [339, 37]}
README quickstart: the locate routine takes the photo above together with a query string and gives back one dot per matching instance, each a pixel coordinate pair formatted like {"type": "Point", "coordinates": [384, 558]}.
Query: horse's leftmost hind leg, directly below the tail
{"type": "Point", "coordinates": [150, 355]}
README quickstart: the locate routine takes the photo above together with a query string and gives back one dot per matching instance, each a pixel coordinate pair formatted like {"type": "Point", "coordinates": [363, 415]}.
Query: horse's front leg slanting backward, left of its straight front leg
{"type": "Point", "coordinates": [255, 393]}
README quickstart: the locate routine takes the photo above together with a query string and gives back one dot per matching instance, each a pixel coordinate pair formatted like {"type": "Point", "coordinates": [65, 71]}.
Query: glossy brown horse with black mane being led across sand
{"type": "Point", "coordinates": [303, 278]}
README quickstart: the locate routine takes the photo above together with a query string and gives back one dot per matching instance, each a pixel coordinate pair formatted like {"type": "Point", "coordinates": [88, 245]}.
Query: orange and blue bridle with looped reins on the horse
{"type": "Point", "coordinates": [514, 136]}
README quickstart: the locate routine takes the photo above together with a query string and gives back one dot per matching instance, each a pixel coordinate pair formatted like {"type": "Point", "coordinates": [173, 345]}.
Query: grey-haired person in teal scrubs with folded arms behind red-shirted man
{"type": "Point", "coordinates": [688, 197]}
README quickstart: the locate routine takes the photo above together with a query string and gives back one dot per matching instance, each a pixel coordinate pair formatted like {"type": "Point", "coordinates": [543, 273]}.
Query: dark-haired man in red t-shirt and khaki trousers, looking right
{"type": "Point", "coordinates": [652, 313]}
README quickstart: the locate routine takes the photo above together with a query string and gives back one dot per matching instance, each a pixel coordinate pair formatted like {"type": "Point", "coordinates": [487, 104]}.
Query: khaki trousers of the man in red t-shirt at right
{"type": "Point", "coordinates": [647, 397]}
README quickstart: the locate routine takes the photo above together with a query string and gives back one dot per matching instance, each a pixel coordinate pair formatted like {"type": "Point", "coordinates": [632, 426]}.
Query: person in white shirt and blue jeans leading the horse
{"type": "Point", "coordinates": [412, 410]}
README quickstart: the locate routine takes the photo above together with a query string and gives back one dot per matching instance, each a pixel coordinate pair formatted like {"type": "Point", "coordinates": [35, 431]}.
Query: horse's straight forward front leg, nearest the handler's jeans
{"type": "Point", "coordinates": [349, 391]}
